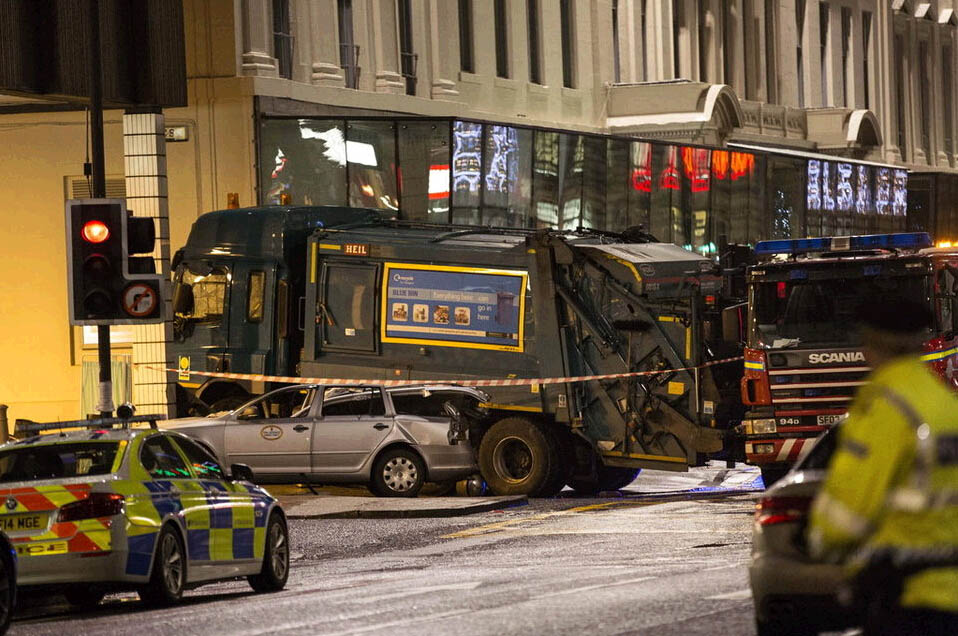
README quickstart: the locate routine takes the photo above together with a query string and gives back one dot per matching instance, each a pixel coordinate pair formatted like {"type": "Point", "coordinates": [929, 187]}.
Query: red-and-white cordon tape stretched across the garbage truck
{"type": "Point", "coordinates": [286, 379]}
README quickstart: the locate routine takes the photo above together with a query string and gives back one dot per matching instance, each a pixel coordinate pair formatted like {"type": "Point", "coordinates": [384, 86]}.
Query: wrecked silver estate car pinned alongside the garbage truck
{"type": "Point", "coordinates": [392, 440]}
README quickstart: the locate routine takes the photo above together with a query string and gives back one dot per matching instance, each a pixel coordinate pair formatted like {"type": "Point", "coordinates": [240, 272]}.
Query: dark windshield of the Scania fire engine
{"type": "Point", "coordinates": [819, 312]}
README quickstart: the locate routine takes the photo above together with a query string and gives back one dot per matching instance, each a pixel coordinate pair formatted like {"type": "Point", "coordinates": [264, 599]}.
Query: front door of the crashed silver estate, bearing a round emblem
{"type": "Point", "coordinates": [272, 434]}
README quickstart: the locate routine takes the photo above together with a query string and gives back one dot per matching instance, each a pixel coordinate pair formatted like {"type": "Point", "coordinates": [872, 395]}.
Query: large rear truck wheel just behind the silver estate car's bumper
{"type": "Point", "coordinates": [515, 457]}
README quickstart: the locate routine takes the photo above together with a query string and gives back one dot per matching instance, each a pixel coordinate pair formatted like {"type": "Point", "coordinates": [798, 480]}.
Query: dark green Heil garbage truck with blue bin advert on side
{"type": "Point", "coordinates": [592, 346]}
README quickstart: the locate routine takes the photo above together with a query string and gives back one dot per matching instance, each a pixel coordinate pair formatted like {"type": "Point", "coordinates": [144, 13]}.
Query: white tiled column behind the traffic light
{"type": "Point", "coordinates": [144, 154]}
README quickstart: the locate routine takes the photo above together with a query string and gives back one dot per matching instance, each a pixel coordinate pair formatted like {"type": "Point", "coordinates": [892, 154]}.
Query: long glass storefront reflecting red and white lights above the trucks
{"type": "Point", "coordinates": [475, 173]}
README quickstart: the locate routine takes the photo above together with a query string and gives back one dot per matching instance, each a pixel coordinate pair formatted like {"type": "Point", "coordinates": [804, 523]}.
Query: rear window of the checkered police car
{"type": "Point", "coordinates": [57, 461]}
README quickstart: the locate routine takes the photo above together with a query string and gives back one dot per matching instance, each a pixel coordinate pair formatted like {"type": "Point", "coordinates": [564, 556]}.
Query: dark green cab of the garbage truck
{"type": "Point", "coordinates": [237, 298]}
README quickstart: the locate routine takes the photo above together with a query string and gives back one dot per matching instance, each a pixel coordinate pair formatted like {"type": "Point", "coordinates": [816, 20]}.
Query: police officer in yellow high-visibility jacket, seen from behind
{"type": "Point", "coordinates": [889, 504]}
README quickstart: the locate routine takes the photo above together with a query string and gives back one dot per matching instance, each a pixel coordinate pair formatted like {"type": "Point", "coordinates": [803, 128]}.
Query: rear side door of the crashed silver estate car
{"type": "Point", "coordinates": [352, 424]}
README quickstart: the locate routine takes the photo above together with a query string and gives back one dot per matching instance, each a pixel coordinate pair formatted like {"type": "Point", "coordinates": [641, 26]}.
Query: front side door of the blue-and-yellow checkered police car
{"type": "Point", "coordinates": [231, 514]}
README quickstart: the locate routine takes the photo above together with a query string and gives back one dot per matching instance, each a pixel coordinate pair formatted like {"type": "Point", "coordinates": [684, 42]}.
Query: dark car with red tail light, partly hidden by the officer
{"type": "Point", "coordinates": [794, 594]}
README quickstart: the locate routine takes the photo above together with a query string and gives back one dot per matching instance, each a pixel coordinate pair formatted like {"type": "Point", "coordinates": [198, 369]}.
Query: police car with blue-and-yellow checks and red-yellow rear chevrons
{"type": "Point", "coordinates": [103, 509]}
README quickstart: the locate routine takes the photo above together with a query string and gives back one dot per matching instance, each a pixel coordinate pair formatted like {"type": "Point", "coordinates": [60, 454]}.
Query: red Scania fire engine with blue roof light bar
{"type": "Point", "coordinates": [803, 357]}
